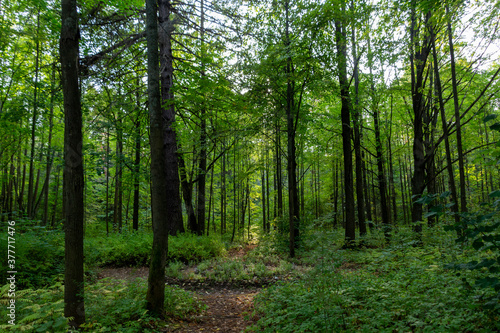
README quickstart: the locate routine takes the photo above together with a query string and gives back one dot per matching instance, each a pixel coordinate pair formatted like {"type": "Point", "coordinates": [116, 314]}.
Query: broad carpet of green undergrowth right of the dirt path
{"type": "Point", "coordinates": [379, 288]}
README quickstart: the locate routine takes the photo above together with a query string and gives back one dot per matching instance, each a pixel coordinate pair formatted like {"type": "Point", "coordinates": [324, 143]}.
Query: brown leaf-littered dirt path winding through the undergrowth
{"type": "Point", "coordinates": [228, 305]}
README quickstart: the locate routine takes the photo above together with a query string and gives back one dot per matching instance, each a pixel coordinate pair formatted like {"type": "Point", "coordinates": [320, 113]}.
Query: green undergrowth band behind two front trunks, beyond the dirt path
{"type": "Point", "coordinates": [39, 253]}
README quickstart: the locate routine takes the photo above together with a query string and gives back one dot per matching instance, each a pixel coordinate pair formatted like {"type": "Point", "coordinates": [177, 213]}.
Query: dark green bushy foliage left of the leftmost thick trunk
{"type": "Point", "coordinates": [39, 257]}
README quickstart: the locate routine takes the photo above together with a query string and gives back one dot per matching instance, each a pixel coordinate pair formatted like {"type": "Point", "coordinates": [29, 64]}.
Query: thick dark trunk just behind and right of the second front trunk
{"type": "Point", "coordinates": [168, 111]}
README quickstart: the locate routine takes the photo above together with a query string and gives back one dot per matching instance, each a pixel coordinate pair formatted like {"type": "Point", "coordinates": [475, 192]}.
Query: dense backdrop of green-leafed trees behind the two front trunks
{"type": "Point", "coordinates": [282, 119]}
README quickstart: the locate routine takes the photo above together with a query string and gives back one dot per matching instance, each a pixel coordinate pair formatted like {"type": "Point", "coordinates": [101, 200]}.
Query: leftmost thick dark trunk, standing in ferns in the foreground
{"type": "Point", "coordinates": [73, 182]}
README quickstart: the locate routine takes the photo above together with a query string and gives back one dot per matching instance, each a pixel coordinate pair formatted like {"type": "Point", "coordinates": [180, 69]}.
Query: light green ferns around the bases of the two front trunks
{"type": "Point", "coordinates": [111, 306]}
